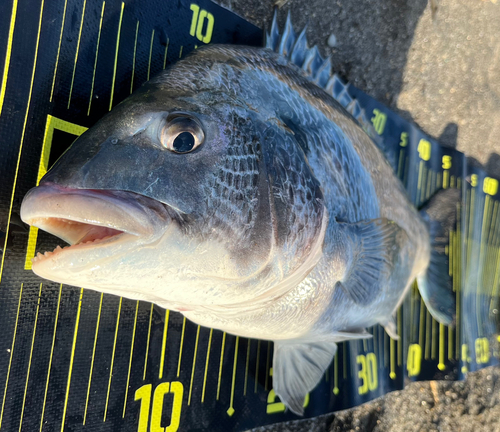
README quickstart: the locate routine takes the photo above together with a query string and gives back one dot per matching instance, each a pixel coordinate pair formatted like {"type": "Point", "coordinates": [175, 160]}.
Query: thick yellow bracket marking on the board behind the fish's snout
{"type": "Point", "coordinates": [51, 124]}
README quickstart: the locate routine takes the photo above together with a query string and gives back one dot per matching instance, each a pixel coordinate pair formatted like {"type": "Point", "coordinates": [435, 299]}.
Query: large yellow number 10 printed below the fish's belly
{"type": "Point", "coordinates": [144, 395]}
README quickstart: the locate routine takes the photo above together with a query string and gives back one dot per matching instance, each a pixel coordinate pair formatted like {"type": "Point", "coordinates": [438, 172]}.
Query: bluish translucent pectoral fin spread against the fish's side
{"type": "Point", "coordinates": [373, 247]}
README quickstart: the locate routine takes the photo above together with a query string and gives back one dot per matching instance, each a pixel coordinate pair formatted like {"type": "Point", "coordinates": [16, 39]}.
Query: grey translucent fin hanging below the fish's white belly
{"type": "Point", "coordinates": [297, 369]}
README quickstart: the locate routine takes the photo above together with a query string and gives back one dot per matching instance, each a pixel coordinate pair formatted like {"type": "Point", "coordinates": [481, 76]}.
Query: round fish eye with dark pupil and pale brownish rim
{"type": "Point", "coordinates": [181, 134]}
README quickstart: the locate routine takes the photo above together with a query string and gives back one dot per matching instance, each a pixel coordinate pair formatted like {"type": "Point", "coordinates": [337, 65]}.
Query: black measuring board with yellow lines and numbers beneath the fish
{"type": "Point", "coordinates": [73, 359]}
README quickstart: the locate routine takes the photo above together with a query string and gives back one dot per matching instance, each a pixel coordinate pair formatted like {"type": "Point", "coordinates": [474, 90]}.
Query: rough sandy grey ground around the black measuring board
{"type": "Point", "coordinates": [442, 71]}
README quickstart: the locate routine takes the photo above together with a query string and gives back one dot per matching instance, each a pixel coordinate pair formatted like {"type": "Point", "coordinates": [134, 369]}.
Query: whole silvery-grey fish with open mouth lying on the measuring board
{"type": "Point", "coordinates": [235, 189]}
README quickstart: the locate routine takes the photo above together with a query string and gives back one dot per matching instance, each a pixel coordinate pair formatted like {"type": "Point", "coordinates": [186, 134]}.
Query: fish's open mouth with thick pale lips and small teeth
{"type": "Point", "coordinates": [87, 219]}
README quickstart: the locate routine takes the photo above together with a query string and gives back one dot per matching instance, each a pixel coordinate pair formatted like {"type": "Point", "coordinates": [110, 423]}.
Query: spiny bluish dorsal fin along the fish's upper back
{"type": "Point", "coordinates": [295, 48]}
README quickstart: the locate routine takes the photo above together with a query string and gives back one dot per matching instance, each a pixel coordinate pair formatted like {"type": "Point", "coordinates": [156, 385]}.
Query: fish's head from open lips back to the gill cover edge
{"type": "Point", "coordinates": [174, 197]}
